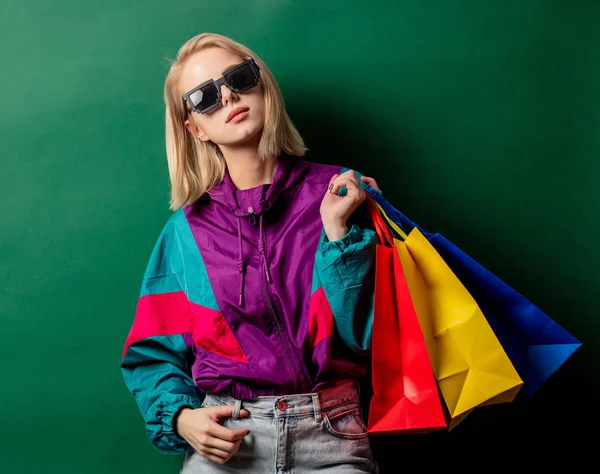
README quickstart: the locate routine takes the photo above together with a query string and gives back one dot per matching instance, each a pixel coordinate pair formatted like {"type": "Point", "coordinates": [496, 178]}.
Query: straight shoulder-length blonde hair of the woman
{"type": "Point", "coordinates": [195, 166]}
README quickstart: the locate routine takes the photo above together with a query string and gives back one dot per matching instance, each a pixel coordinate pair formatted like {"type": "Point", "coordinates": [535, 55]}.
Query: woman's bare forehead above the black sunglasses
{"type": "Point", "coordinates": [204, 65]}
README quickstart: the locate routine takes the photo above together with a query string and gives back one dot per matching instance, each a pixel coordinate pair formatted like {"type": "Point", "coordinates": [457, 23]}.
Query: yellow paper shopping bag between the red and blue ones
{"type": "Point", "coordinates": [470, 365]}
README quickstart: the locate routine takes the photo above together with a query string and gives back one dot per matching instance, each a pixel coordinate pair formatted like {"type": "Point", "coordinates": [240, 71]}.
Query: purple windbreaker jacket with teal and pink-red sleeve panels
{"type": "Point", "coordinates": [244, 293]}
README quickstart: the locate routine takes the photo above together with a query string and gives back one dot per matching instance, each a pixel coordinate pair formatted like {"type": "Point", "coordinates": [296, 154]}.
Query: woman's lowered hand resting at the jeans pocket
{"type": "Point", "coordinates": [201, 429]}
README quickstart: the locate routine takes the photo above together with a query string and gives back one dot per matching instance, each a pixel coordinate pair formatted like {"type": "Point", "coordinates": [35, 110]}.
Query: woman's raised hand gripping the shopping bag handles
{"type": "Point", "coordinates": [335, 210]}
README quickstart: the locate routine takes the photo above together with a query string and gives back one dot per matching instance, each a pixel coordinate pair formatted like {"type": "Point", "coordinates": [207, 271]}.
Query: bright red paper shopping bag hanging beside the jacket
{"type": "Point", "coordinates": [405, 394]}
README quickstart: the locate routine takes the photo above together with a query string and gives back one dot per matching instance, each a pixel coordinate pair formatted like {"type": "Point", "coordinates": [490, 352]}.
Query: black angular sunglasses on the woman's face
{"type": "Point", "coordinates": [207, 96]}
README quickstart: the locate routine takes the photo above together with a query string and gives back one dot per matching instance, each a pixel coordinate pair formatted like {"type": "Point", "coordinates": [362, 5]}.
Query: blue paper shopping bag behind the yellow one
{"type": "Point", "coordinates": [536, 344]}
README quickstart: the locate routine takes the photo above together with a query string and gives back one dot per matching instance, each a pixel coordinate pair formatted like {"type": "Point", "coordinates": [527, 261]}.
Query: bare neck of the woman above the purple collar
{"type": "Point", "coordinates": [246, 170]}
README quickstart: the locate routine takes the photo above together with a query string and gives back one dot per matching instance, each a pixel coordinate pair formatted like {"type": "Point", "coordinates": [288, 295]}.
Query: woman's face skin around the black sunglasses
{"type": "Point", "coordinates": [213, 126]}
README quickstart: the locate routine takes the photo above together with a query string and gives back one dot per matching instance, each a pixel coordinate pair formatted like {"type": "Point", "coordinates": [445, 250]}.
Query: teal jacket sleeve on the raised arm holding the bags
{"type": "Point", "coordinates": [346, 269]}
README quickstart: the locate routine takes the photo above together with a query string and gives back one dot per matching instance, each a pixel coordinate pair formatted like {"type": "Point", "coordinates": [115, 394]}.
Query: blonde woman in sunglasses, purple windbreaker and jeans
{"type": "Point", "coordinates": [258, 293]}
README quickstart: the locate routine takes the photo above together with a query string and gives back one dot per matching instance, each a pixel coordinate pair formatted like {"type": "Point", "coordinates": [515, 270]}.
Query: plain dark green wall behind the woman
{"type": "Point", "coordinates": [479, 120]}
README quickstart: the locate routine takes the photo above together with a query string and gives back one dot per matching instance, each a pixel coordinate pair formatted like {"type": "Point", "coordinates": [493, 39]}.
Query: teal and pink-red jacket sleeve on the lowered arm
{"type": "Point", "coordinates": [156, 359]}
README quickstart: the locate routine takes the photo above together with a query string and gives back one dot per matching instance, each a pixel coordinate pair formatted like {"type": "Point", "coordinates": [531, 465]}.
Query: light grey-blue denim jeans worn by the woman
{"type": "Point", "coordinates": [322, 431]}
